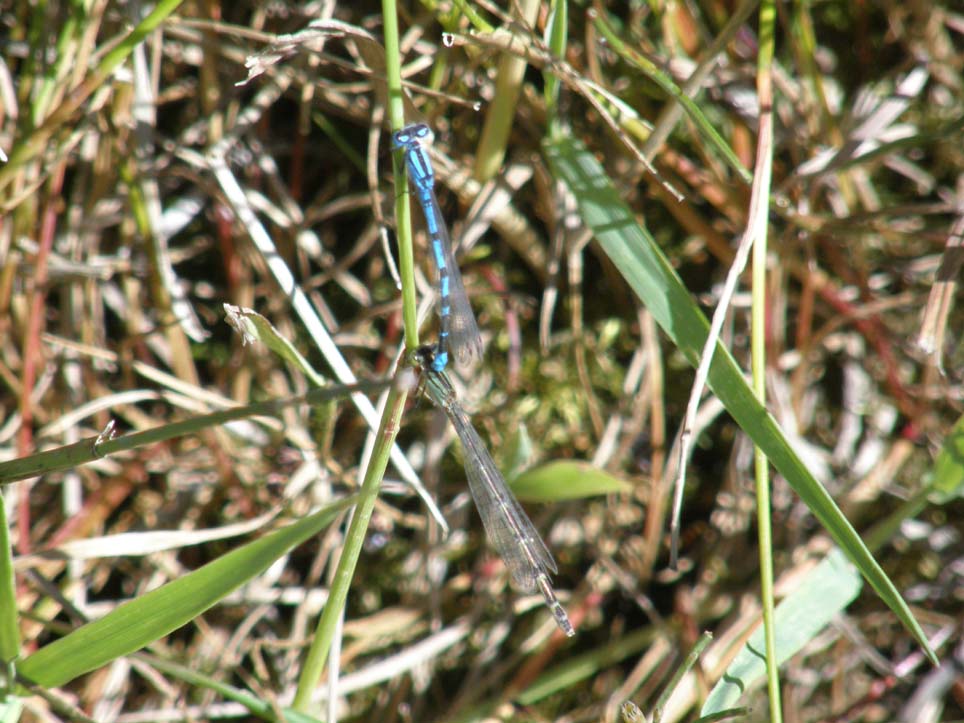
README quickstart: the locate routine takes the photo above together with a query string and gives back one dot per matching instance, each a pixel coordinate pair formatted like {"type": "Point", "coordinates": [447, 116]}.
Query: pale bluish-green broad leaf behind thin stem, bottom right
{"type": "Point", "coordinates": [823, 593]}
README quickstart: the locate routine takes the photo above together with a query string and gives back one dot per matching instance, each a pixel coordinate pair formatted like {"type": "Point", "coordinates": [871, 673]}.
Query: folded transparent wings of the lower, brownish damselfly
{"type": "Point", "coordinates": [508, 527]}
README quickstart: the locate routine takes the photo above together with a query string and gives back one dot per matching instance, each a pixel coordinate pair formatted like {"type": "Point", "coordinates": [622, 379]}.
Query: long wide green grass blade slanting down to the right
{"type": "Point", "coordinates": [641, 262]}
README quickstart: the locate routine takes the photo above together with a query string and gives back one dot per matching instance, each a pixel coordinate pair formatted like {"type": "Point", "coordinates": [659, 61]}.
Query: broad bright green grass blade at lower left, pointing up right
{"type": "Point", "coordinates": [140, 622]}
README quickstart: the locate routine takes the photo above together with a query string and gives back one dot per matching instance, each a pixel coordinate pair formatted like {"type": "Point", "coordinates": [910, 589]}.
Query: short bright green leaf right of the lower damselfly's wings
{"type": "Point", "coordinates": [566, 480]}
